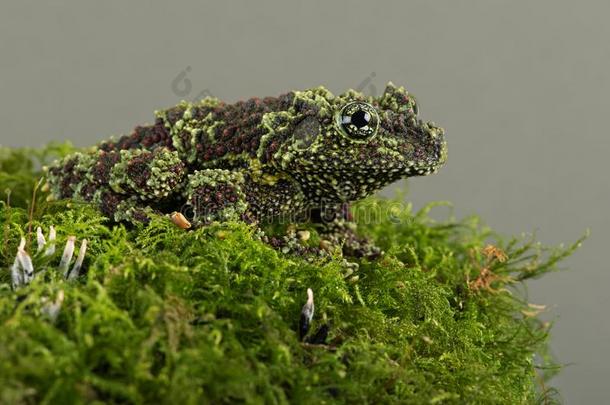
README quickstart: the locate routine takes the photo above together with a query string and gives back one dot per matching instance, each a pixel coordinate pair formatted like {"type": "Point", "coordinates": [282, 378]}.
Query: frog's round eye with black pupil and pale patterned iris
{"type": "Point", "coordinates": [358, 120]}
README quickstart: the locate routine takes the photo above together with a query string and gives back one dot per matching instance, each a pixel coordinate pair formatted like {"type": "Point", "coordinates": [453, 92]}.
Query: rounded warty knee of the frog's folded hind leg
{"type": "Point", "coordinates": [150, 175]}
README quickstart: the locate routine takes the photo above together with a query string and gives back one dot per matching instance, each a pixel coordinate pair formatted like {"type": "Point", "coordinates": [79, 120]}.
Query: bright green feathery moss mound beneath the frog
{"type": "Point", "coordinates": [164, 315]}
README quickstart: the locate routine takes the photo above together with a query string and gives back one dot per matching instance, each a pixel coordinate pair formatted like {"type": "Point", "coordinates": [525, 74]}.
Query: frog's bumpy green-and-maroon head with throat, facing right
{"type": "Point", "coordinates": [342, 148]}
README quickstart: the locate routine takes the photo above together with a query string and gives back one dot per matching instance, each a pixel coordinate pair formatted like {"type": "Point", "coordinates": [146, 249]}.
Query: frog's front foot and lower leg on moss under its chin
{"type": "Point", "coordinates": [336, 226]}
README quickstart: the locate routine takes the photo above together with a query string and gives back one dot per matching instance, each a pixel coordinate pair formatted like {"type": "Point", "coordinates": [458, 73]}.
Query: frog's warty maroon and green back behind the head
{"type": "Point", "coordinates": [208, 133]}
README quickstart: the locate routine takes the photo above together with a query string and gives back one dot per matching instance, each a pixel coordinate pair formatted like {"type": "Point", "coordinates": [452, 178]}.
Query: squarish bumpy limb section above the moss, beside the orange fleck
{"type": "Point", "coordinates": [216, 195]}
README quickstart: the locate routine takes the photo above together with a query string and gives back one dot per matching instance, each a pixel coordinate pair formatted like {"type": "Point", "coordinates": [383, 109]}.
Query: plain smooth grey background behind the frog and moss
{"type": "Point", "coordinates": [522, 88]}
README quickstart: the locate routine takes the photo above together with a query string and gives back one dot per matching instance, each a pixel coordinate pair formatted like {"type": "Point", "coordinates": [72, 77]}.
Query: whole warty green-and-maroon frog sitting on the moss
{"type": "Point", "coordinates": [258, 159]}
